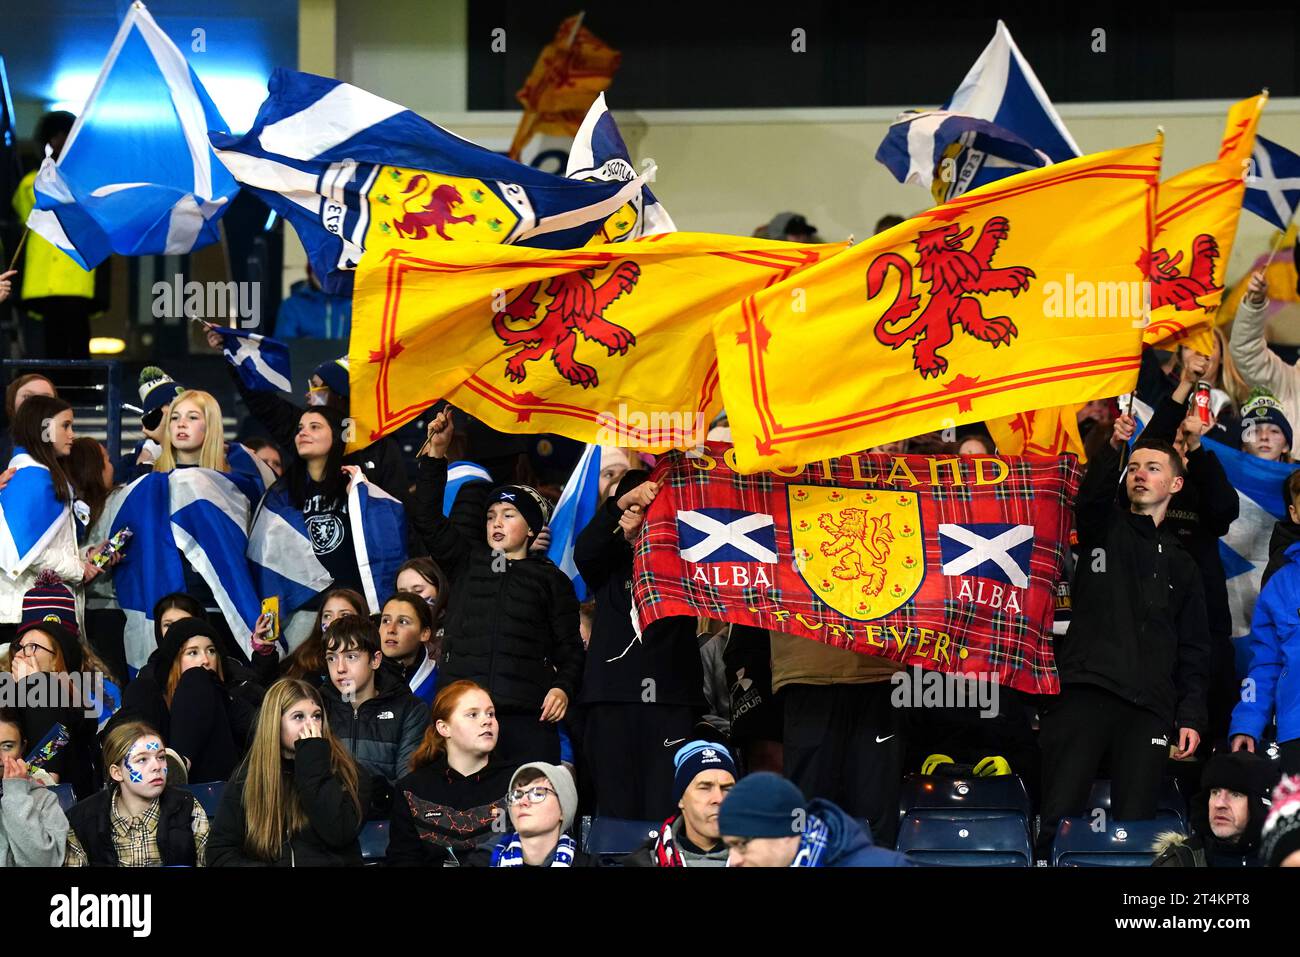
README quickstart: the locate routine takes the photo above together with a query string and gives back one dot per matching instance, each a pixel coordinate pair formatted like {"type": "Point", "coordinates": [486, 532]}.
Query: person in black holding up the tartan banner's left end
{"type": "Point", "coordinates": [643, 694]}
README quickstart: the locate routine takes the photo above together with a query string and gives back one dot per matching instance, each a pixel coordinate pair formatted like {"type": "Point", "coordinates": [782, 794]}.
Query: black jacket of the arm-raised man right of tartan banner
{"type": "Point", "coordinates": [1139, 625]}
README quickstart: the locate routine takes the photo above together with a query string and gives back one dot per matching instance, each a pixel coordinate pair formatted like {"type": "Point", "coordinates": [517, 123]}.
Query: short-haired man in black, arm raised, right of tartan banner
{"type": "Point", "coordinates": [1134, 662]}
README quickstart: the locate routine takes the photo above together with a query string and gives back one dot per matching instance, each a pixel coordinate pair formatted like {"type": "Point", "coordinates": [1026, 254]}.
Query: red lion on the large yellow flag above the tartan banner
{"type": "Point", "coordinates": [954, 275]}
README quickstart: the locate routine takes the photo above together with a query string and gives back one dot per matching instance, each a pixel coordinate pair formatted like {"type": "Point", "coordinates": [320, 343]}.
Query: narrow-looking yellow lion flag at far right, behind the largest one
{"type": "Point", "coordinates": [1195, 227]}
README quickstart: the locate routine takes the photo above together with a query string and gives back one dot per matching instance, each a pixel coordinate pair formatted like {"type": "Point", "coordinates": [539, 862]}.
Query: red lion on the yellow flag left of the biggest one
{"type": "Point", "coordinates": [578, 306]}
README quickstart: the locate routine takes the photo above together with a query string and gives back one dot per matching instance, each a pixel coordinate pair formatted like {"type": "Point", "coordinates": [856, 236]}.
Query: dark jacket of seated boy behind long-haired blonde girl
{"type": "Point", "coordinates": [385, 731]}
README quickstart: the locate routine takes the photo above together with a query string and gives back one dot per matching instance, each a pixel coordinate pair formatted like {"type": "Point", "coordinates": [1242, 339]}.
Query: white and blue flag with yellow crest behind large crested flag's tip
{"type": "Point", "coordinates": [600, 155]}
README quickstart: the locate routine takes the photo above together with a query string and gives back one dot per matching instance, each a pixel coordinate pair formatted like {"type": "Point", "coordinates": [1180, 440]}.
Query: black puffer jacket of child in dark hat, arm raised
{"type": "Point", "coordinates": [513, 631]}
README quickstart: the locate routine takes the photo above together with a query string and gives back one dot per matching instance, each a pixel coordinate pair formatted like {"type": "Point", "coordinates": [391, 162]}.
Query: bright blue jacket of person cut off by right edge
{"type": "Point", "coordinates": [1275, 657]}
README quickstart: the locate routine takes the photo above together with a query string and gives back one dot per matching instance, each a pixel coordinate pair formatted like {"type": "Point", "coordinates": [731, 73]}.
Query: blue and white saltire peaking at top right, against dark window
{"type": "Point", "coordinates": [1003, 89]}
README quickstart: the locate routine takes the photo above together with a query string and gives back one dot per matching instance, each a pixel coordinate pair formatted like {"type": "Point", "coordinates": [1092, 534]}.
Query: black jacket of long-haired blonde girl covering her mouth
{"type": "Point", "coordinates": [333, 821]}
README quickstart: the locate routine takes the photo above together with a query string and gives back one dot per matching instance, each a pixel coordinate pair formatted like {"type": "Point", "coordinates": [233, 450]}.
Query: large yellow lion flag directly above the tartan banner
{"type": "Point", "coordinates": [986, 306]}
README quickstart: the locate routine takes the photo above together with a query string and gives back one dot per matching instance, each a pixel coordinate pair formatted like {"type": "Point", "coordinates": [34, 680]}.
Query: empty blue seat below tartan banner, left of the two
{"type": "Point", "coordinates": [996, 841]}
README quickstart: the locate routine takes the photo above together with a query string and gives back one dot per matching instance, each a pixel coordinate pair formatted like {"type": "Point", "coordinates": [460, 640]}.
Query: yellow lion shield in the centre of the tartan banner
{"type": "Point", "coordinates": [861, 552]}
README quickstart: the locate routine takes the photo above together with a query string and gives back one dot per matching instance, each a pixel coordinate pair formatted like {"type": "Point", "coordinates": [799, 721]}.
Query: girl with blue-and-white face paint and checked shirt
{"type": "Point", "coordinates": [138, 820]}
